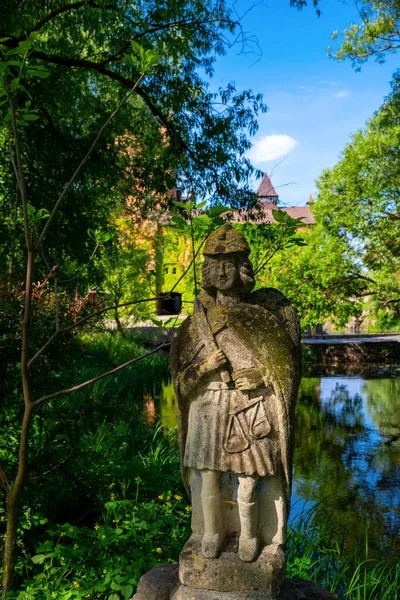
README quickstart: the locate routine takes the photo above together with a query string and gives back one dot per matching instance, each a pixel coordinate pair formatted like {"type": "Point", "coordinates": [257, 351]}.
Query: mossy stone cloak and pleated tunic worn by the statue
{"type": "Point", "coordinates": [220, 427]}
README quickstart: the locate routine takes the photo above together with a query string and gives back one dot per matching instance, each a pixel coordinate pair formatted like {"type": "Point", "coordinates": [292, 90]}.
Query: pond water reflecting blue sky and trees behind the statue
{"type": "Point", "coordinates": [347, 453]}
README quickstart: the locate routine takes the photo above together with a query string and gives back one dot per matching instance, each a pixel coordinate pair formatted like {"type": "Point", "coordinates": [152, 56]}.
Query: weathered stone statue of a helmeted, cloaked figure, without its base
{"type": "Point", "coordinates": [236, 370]}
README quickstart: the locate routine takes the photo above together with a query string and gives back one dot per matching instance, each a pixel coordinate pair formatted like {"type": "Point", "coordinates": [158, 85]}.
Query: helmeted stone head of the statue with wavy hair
{"type": "Point", "coordinates": [226, 264]}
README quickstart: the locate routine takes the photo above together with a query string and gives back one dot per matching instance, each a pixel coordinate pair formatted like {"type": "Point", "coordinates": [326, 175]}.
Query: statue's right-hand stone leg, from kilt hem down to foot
{"type": "Point", "coordinates": [248, 514]}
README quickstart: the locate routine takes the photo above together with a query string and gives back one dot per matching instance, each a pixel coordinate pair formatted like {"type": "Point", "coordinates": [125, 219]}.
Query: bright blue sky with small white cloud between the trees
{"type": "Point", "coordinates": [315, 103]}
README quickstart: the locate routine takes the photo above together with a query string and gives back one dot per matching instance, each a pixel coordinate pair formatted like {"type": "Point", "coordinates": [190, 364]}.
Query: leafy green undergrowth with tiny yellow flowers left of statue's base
{"type": "Point", "coordinates": [106, 560]}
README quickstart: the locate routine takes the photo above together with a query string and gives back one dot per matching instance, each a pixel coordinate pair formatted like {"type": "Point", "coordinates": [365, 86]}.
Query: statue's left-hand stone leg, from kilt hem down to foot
{"type": "Point", "coordinates": [214, 528]}
